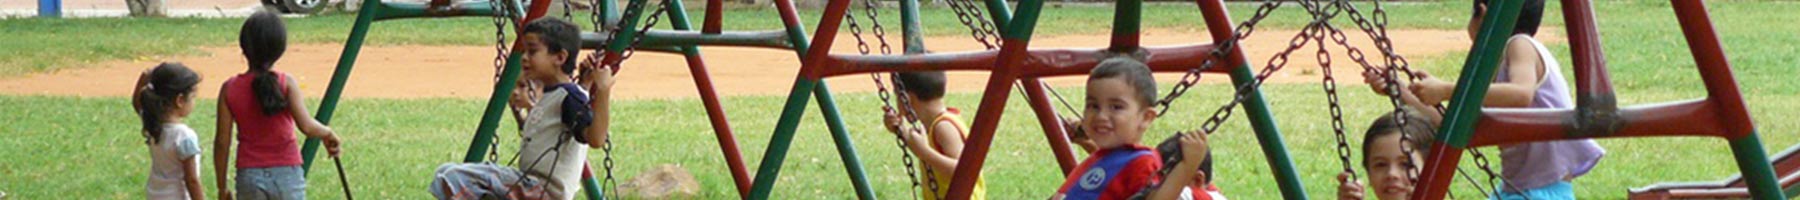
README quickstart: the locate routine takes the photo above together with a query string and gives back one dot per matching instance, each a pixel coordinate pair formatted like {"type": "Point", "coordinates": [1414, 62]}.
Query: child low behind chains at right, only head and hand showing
{"type": "Point", "coordinates": [1383, 159]}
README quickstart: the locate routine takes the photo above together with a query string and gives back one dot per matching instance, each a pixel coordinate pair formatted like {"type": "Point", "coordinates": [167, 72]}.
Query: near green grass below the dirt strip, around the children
{"type": "Point", "coordinates": [91, 147]}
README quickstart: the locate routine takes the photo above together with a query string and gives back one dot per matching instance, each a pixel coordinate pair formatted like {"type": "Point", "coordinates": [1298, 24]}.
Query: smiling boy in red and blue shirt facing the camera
{"type": "Point", "coordinates": [1120, 95]}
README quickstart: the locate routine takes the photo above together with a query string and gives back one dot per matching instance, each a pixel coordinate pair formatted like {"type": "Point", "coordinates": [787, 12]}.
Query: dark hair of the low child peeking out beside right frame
{"type": "Point", "coordinates": [1421, 131]}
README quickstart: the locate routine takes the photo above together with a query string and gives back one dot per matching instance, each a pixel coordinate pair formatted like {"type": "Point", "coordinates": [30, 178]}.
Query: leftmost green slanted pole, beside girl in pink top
{"type": "Point", "coordinates": [339, 78]}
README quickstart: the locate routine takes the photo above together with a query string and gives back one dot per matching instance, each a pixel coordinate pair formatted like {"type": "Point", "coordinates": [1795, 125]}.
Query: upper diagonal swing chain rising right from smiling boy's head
{"type": "Point", "coordinates": [1219, 53]}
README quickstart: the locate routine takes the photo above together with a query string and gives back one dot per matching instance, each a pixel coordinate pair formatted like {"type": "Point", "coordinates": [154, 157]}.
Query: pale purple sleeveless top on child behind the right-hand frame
{"type": "Point", "coordinates": [1538, 165]}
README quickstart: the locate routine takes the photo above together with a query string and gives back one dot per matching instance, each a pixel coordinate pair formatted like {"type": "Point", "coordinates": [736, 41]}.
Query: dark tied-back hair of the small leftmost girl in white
{"type": "Point", "coordinates": [163, 91]}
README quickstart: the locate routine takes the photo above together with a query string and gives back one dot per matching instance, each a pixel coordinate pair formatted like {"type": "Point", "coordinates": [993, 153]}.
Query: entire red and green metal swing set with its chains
{"type": "Point", "coordinates": [1016, 64]}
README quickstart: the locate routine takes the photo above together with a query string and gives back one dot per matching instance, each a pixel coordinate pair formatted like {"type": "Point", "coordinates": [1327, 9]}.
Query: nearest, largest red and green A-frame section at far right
{"type": "Point", "coordinates": [1597, 113]}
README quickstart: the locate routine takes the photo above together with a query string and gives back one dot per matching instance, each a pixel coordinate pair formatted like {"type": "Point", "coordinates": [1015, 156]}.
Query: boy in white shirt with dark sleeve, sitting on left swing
{"type": "Point", "coordinates": [550, 156]}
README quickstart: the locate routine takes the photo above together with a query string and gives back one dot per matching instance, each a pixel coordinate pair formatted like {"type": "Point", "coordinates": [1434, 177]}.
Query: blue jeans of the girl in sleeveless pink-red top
{"type": "Point", "coordinates": [285, 183]}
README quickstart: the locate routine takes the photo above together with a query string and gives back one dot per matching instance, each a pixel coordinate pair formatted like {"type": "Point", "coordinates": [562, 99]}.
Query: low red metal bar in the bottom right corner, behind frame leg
{"type": "Point", "coordinates": [1786, 165]}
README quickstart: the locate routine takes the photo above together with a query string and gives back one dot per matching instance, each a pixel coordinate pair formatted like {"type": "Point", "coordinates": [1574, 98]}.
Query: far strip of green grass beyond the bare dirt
{"type": "Point", "coordinates": [44, 46]}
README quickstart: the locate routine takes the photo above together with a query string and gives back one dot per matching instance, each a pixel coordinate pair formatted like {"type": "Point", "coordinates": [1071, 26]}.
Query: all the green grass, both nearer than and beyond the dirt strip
{"type": "Point", "coordinates": [91, 147]}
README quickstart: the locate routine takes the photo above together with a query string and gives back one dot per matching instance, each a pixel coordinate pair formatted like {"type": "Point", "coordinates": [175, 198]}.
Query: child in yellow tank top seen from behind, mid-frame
{"type": "Point", "coordinates": [942, 141]}
